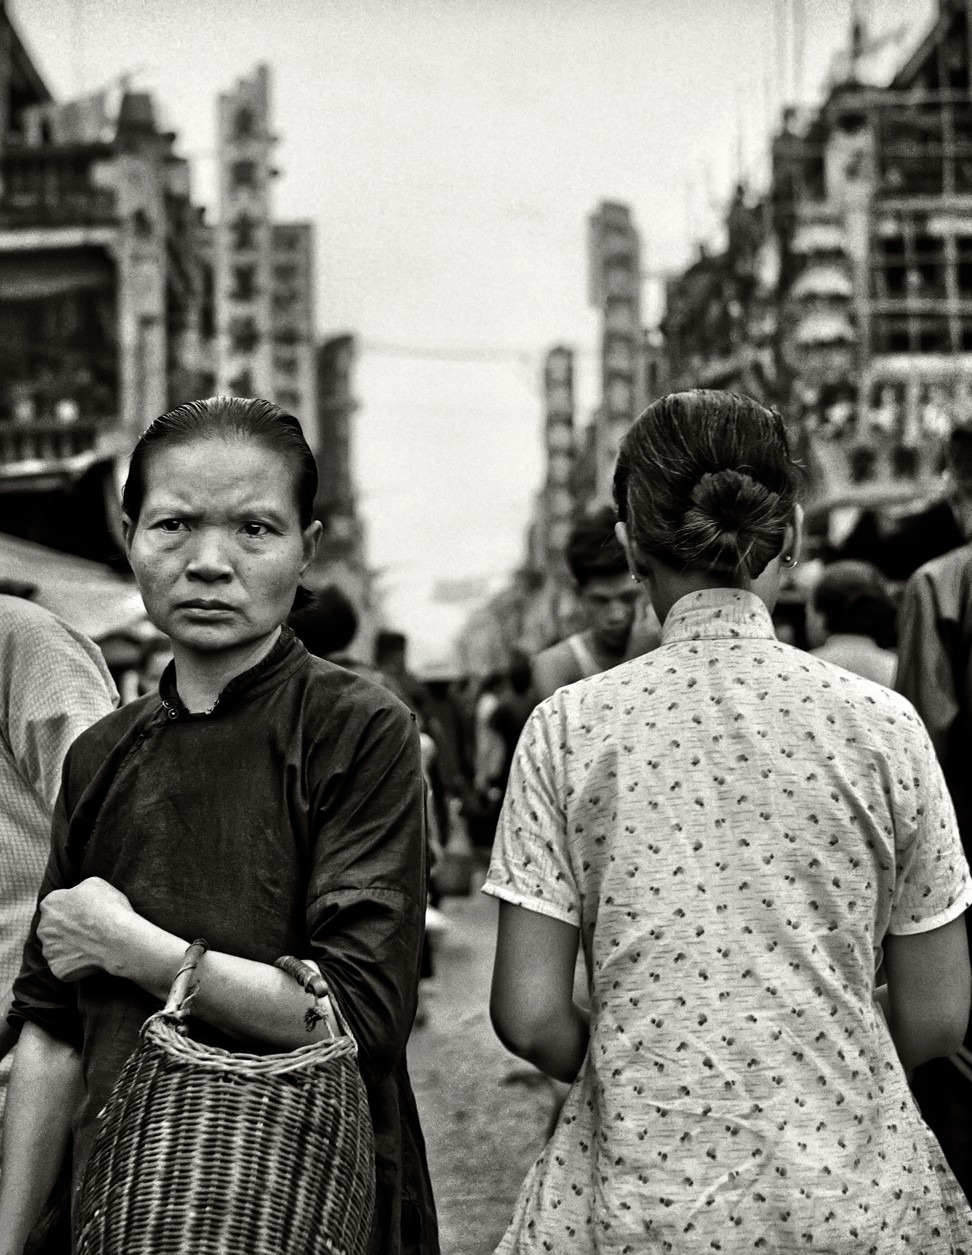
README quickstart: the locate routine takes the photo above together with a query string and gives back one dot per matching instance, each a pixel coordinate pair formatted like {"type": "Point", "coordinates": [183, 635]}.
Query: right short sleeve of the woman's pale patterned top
{"type": "Point", "coordinates": [932, 883]}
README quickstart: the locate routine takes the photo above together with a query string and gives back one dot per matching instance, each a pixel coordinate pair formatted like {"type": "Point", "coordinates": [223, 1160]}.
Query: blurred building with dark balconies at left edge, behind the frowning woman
{"type": "Point", "coordinates": [103, 316]}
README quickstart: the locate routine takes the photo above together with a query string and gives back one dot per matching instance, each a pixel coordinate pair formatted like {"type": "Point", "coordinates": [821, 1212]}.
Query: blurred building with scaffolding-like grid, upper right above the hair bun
{"type": "Point", "coordinates": [848, 301]}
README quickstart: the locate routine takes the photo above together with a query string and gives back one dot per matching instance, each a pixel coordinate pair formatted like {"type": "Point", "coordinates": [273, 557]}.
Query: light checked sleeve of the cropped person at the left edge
{"type": "Point", "coordinates": [57, 687]}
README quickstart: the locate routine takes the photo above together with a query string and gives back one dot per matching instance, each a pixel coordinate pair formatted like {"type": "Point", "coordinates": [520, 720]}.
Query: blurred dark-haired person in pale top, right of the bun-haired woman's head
{"type": "Point", "coordinates": [852, 622]}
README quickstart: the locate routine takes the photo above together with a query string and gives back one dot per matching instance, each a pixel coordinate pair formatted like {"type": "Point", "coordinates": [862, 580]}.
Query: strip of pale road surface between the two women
{"type": "Point", "coordinates": [483, 1111]}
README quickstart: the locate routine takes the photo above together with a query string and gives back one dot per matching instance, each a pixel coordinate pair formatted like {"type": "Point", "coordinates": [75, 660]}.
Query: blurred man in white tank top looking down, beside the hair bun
{"type": "Point", "coordinates": [620, 626]}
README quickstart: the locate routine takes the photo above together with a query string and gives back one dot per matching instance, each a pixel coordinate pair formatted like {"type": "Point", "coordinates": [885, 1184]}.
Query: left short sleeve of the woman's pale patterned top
{"type": "Point", "coordinates": [531, 864]}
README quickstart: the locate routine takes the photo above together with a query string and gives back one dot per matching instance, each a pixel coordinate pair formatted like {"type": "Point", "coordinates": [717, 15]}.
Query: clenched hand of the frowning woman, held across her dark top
{"type": "Point", "coordinates": [83, 931]}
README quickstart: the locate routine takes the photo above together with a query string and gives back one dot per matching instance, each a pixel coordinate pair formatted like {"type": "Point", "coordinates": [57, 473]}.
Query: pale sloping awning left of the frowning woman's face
{"type": "Point", "coordinates": [88, 595]}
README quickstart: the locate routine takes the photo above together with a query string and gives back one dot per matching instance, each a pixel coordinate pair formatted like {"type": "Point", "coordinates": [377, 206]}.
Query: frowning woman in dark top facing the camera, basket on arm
{"type": "Point", "coordinates": [265, 800]}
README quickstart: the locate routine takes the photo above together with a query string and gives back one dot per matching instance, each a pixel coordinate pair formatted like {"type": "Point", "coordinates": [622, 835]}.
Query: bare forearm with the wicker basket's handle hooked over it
{"type": "Point", "coordinates": [241, 997]}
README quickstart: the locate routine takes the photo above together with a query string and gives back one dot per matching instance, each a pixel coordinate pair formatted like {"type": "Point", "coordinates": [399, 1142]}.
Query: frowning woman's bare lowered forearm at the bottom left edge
{"type": "Point", "coordinates": [46, 1086]}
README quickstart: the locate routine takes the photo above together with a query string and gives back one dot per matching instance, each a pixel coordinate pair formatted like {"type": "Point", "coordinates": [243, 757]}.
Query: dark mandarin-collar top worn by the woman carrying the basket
{"type": "Point", "coordinates": [288, 820]}
